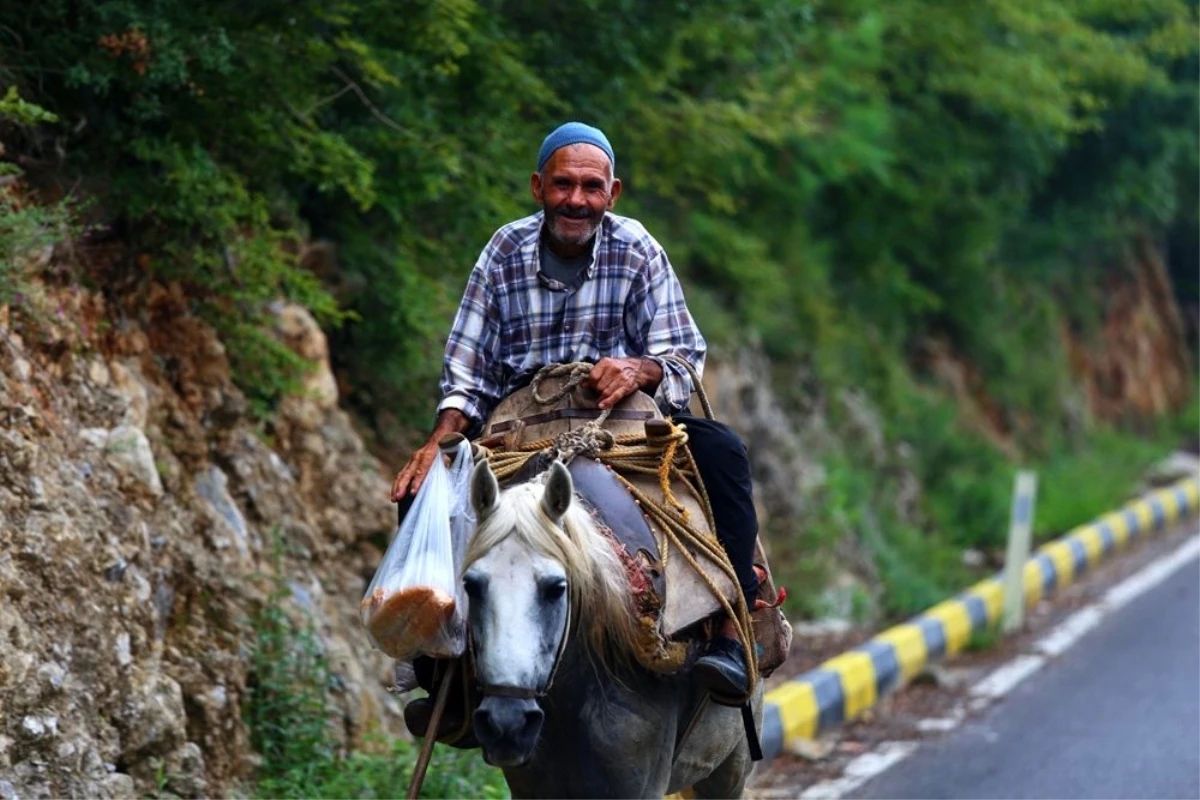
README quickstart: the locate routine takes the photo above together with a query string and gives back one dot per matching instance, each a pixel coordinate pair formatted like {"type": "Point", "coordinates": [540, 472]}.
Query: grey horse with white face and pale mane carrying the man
{"type": "Point", "coordinates": [567, 712]}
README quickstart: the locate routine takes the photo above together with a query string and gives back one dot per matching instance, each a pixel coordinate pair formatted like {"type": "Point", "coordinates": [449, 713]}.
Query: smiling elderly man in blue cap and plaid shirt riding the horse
{"type": "Point", "coordinates": [575, 282]}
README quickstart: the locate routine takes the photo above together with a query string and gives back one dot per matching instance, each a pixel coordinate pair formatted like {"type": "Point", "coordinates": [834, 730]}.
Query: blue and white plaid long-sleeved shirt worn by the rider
{"type": "Point", "coordinates": [514, 320]}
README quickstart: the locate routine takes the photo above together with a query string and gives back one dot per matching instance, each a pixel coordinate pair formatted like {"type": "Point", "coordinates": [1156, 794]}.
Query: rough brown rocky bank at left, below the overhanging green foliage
{"type": "Point", "coordinates": [139, 512]}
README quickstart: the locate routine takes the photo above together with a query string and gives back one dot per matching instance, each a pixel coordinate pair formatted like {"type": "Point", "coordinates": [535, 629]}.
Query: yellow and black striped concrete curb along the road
{"type": "Point", "coordinates": [845, 687]}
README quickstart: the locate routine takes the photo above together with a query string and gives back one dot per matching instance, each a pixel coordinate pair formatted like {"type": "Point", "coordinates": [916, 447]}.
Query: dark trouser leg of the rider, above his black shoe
{"type": "Point", "coordinates": [725, 468]}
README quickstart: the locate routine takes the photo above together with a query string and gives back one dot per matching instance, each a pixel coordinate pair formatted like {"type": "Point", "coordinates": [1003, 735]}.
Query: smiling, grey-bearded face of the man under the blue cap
{"type": "Point", "coordinates": [575, 189]}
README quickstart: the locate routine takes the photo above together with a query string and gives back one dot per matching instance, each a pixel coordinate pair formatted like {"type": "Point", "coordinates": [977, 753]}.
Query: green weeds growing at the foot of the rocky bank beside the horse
{"type": "Point", "coordinates": [289, 714]}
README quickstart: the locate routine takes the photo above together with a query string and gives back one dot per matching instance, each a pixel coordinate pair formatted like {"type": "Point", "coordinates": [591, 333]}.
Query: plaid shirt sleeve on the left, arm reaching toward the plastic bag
{"type": "Point", "coordinates": [471, 371]}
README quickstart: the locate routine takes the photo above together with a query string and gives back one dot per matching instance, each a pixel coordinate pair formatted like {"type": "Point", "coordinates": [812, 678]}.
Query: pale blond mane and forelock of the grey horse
{"type": "Point", "coordinates": [597, 582]}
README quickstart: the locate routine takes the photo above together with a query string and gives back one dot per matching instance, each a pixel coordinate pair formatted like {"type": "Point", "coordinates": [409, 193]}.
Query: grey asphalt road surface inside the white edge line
{"type": "Point", "coordinates": [1118, 717]}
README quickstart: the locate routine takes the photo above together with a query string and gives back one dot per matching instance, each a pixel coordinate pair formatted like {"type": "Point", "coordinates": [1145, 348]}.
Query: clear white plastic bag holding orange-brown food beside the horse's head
{"type": "Point", "coordinates": [416, 604]}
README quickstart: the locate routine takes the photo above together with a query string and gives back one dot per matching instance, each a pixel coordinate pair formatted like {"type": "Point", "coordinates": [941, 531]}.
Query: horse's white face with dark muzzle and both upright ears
{"type": "Point", "coordinates": [519, 613]}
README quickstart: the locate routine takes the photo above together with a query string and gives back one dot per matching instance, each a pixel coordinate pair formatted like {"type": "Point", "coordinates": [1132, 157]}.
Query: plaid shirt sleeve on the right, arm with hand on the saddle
{"type": "Point", "coordinates": [670, 332]}
